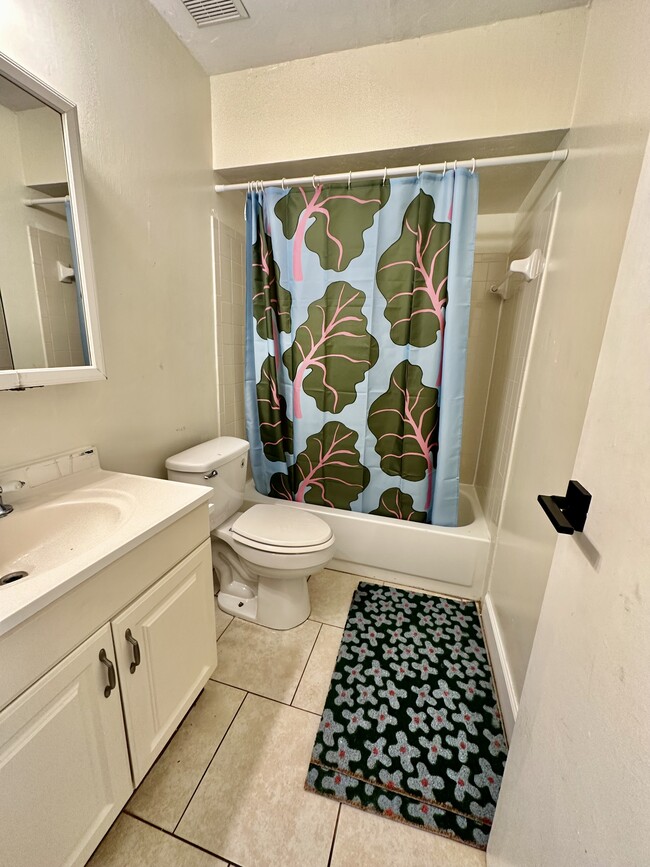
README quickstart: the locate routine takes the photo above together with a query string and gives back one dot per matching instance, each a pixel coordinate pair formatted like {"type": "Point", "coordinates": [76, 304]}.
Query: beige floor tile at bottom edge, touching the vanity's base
{"type": "Point", "coordinates": [131, 842]}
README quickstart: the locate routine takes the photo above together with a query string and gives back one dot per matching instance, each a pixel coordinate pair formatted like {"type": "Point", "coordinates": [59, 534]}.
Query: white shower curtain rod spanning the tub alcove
{"type": "Point", "coordinates": [484, 162]}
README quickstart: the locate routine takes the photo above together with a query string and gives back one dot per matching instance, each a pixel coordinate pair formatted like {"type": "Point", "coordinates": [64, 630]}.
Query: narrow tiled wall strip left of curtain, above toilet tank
{"type": "Point", "coordinates": [231, 307]}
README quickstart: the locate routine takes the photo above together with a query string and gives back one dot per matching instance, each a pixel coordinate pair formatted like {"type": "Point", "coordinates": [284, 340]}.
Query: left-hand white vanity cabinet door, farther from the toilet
{"type": "Point", "coordinates": [64, 765]}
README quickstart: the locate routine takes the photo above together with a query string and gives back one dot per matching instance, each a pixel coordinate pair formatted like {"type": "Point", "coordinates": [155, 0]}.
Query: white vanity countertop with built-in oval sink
{"type": "Point", "coordinates": [112, 514]}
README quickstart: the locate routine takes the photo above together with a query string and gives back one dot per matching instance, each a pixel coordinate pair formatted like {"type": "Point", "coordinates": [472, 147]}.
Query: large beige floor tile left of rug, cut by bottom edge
{"type": "Point", "coordinates": [251, 806]}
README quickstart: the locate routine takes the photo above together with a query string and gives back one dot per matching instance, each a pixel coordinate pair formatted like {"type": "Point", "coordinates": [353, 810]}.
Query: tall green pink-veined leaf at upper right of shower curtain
{"type": "Point", "coordinates": [412, 276]}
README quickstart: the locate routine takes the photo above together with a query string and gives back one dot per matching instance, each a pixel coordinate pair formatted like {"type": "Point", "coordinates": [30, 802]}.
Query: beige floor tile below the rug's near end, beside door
{"type": "Point", "coordinates": [363, 840]}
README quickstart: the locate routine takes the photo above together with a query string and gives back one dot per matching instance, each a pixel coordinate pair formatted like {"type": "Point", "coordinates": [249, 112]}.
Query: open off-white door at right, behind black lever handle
{"type": "Point", "coordinates": [576, 787]}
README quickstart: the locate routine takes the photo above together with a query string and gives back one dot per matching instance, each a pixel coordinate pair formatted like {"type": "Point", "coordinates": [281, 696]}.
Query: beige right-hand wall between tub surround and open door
{"type": "Point", "coordinates": [609, 132]}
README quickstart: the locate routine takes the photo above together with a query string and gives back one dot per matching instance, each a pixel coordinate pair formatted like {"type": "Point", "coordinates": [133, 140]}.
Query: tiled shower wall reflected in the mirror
{"type": "Point", "coordinates": [57, 301]}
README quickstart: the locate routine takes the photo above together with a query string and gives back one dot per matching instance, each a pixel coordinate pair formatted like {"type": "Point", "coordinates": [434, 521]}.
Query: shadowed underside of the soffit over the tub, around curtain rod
{"type": "Point", "coordinates": [502, 188]}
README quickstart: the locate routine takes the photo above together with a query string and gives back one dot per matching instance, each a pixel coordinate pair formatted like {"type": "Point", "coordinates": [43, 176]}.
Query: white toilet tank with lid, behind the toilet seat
{"type": "Point", "coordinates": [220, 463]}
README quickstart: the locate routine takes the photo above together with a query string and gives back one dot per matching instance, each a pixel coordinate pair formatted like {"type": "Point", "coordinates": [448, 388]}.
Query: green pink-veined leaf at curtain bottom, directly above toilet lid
{"type": "Point", "coordinates": [328, 472]}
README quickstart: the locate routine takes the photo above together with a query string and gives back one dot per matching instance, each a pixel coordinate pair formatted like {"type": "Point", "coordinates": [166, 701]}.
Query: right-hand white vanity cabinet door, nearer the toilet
{"type": "Point", "coordinates": [170, 655]}
